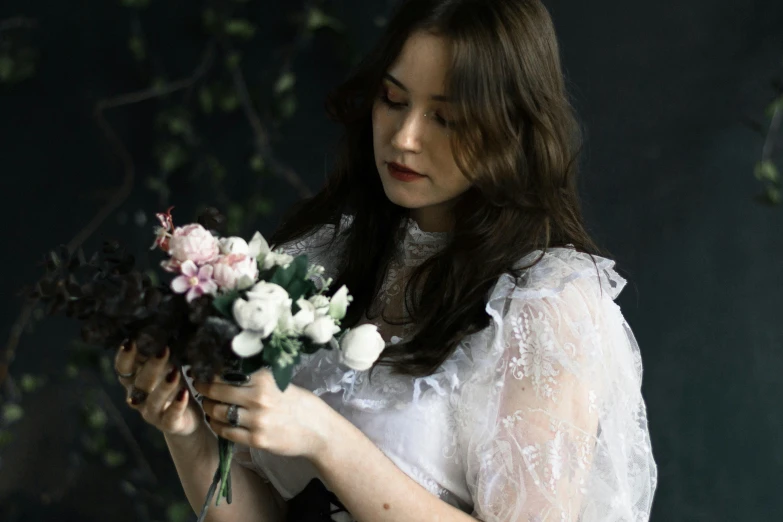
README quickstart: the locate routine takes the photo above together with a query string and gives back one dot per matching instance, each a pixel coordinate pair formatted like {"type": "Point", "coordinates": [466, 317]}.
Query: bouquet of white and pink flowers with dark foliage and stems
{"type": "Point", "coordinates": [229, 308]}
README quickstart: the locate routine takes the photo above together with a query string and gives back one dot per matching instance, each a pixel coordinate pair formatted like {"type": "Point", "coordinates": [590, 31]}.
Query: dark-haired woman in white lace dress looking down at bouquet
{"type": "Point", "coordinates": [509, 389]}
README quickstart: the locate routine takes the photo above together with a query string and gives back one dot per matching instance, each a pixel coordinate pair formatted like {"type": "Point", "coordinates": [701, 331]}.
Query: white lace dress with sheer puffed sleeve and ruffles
{"type": "Point", "coordinates": [539, 417]}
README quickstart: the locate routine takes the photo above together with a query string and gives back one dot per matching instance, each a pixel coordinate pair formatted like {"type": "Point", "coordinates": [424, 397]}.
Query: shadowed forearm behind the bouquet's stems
{"type": "Point", "coordinates": [196, 459]}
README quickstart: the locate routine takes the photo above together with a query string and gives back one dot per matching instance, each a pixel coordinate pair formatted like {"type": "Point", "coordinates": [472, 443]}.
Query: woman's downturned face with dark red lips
{"type": "Point", "coordinates": [402, 133]}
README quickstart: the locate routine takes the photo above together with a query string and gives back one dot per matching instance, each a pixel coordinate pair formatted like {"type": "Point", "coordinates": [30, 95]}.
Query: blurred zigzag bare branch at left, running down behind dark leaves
{"type": "Point", "coordinates": [118, 197]}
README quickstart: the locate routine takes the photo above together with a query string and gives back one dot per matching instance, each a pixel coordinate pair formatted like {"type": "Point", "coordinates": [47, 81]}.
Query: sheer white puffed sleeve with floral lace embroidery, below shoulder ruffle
{"type": "Point", "coordinates": [567, 436]}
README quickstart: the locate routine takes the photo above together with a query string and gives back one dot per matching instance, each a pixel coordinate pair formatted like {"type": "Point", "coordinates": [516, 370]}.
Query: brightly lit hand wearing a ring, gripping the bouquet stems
{"type": "Point", "coordinates": [292, 423]}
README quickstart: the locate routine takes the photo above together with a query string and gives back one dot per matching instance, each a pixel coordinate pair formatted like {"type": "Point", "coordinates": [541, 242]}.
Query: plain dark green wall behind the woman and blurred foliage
{"type": "Point", "coordinates": [663, 89]}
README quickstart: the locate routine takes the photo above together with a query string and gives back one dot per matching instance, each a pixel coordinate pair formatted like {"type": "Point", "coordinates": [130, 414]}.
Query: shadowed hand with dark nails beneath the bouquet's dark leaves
{"type": "Point", "coordinates": [155, 391]}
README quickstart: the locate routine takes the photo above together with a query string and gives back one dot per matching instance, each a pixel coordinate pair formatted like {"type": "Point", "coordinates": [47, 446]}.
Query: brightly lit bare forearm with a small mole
{"type": "Point", "coordinates": [372, 487]}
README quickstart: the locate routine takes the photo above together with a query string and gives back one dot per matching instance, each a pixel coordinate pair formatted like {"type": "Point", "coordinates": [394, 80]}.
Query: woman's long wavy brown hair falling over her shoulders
{"type": "Point", "coordinates": [519, 143]}
